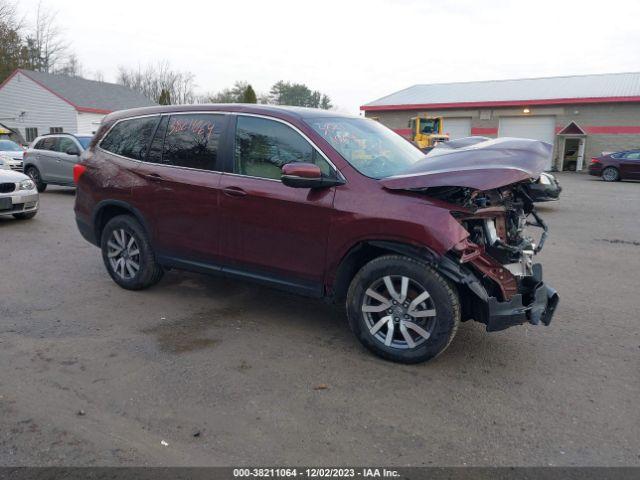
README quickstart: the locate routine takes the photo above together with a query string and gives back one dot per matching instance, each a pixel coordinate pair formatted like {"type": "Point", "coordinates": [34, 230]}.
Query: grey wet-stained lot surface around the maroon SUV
{"type": "Point", "coordinates": [228, 373]}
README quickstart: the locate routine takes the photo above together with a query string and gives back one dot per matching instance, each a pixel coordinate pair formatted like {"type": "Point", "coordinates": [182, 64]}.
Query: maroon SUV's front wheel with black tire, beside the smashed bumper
{"type": "Point", "coordinates": [443, 298]}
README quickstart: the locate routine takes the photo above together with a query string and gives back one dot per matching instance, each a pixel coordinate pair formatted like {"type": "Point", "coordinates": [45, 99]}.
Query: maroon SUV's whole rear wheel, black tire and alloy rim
{"type": "Point", "coordinates": [127, 254]}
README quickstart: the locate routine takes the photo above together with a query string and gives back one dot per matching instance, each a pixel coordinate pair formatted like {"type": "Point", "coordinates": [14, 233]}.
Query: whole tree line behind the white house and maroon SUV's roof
{"type": "Point", "coordinates": [40, 46]}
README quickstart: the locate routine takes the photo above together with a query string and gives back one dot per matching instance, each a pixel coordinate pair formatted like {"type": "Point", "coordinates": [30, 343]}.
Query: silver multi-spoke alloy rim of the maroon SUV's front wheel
{"type": "Point", "coordinates": [399, 312]}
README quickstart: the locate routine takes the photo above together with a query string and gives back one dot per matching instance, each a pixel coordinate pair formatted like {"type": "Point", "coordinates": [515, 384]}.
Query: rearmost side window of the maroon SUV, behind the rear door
{"type": "Point", "coordinates": [131, 138]}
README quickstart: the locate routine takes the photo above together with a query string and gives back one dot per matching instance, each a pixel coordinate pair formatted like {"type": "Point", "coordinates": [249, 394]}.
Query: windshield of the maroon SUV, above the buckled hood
{"type": "Point", "coordinates": [371, 148]}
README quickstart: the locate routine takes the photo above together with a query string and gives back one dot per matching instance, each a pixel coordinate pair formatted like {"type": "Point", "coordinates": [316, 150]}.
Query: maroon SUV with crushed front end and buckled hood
{"type": "Point", "coordinates": [323, 205]}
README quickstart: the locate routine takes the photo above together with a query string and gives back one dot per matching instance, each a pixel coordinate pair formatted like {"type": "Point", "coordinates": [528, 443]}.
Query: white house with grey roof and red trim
{"type": "Point", "coordinates": [34, 103]}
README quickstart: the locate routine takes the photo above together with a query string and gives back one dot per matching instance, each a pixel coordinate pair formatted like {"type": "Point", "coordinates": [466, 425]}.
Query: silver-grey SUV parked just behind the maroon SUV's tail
{"type": "Point", "coordinates": [51, 158]}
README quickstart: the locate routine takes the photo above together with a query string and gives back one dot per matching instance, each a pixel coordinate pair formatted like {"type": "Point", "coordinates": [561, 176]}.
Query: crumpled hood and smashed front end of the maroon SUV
{"type": "Point", "coordinates": [493, 266]}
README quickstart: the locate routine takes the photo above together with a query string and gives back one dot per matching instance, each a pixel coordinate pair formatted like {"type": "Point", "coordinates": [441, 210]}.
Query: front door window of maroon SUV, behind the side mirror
{"type": "Point", "coordinates": [263, 146]}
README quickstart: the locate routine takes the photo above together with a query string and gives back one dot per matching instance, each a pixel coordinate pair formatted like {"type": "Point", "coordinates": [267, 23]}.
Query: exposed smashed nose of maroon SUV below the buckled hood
{"type": "Point", "coordinates": [496, 261]}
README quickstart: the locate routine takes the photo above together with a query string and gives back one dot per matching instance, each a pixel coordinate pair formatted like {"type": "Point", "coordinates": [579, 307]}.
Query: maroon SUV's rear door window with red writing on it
{"type": "Point", "coordinates": [189, 141]}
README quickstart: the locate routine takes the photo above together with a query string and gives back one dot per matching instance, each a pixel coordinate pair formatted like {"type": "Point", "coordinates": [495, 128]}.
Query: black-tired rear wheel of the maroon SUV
{"type": "Point", "coordinates": [149, 272]}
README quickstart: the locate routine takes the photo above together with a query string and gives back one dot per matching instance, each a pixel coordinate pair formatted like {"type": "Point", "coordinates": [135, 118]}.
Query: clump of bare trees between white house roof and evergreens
{"type": "Point", "coordinates": [153, 79]}
